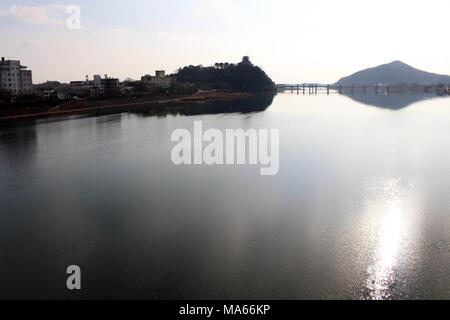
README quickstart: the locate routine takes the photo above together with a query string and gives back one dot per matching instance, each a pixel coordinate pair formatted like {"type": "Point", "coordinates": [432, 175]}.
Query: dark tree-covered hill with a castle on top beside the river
{"type": "Point", "coordinates": [243, 76]}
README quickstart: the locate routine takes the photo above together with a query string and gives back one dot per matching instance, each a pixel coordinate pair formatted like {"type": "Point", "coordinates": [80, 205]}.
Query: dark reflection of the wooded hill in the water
{"type": "Point", "coordinates": [246, 105]}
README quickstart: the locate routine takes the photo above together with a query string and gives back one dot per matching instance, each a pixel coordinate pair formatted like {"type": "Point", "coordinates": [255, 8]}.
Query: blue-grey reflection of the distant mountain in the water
{"type": "Point", "coordinates": [393, 101]}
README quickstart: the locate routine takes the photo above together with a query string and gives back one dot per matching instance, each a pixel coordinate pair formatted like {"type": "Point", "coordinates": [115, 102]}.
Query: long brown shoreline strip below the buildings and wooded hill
{"type": "Point", "coordinates": [109, 107]}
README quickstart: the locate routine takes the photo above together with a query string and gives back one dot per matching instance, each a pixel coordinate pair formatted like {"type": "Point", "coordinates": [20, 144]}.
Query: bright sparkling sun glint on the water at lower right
{"type": "Point", "coordinates": [390, 216]}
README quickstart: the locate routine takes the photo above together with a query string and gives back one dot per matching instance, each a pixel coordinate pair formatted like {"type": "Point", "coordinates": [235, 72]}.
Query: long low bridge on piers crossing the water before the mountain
{"type": "Point", "coordinates": [314, 88]}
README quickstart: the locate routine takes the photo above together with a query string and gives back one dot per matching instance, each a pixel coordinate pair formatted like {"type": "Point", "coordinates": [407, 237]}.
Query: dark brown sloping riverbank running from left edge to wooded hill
{"type": "Point", "coordinates": [117, 105]}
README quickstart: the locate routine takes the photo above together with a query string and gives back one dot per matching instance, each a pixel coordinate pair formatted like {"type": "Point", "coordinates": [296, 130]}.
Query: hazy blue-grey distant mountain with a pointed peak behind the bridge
{"type": "Point", "coordinates": [393, 73]}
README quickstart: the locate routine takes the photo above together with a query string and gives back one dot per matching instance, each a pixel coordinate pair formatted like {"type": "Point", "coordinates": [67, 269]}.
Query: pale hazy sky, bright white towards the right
{"type": "Point", "coordinates": [292, 40]}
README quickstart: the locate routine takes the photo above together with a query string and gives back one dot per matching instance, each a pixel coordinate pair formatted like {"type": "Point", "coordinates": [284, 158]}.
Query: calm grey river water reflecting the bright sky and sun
{"type": "Point", "coordinates": [359, 209]}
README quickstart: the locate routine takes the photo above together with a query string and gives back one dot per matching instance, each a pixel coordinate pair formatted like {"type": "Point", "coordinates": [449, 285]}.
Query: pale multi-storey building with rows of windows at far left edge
{"type": "Point", "coordinates": [15, 78]}
